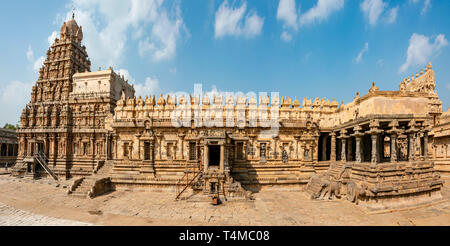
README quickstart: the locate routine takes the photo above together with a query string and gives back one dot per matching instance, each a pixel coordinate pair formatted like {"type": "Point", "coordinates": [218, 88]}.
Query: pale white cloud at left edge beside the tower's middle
{"type": "Point", "coordinates": [13, 97]}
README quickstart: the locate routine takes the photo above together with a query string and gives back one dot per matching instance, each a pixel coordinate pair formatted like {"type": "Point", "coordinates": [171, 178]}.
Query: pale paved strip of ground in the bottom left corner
{"type": "Point", "coordinates": [15, 217]}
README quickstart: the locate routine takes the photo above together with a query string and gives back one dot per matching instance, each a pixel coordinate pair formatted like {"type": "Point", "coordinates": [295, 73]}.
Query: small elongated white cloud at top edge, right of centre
{"type": "Point", "coordinates": [321, 11]}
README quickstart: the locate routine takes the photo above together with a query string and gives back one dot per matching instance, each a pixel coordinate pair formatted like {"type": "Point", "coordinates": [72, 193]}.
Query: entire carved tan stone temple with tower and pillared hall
{"type": "Point", "coordinates": [383, 150]}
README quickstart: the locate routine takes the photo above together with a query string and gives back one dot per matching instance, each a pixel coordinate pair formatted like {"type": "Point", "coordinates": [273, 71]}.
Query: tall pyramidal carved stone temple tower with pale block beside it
{"type": "Point", "coordinates": [62, 130]}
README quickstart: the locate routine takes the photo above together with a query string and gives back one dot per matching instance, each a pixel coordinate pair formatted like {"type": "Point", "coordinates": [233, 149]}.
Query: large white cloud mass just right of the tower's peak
{"type": "Point", "coordinates": [107, 25]}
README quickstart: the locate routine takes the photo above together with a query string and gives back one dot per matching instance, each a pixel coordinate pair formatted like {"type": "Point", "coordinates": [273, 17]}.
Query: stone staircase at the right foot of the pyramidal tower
{"type": "Point", "coordinates": [84, 185]}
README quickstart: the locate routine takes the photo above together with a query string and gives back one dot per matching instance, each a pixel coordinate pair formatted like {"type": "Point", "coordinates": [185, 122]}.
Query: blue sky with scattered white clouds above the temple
{"type": "Point", "coordinates": [303, 48]}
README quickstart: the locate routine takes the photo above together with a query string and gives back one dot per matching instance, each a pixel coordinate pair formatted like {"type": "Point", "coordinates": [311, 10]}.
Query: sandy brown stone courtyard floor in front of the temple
{"type": "Point", "coordinates": [43, 202]}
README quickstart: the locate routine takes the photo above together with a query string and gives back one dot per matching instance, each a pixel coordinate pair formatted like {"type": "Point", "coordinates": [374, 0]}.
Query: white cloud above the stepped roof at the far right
{"type": "Point", "coordinates": [420, 50]}
